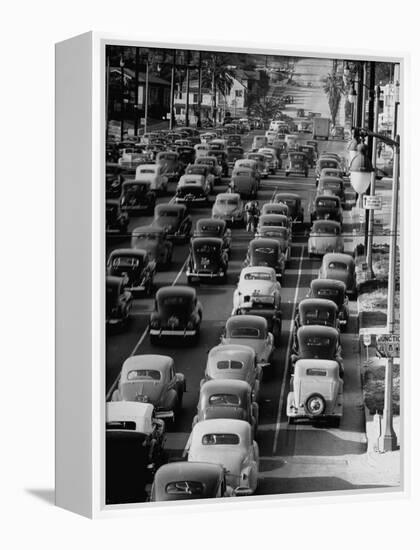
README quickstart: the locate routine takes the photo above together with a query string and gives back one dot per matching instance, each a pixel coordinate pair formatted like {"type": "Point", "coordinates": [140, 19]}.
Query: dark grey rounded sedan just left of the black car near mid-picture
{"type": "Point", "coordinates": [153, 239]}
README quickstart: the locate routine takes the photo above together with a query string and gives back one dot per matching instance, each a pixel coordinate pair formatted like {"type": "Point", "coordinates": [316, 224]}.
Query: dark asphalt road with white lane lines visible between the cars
{"type": "Point", "coordinates": [286, 452]}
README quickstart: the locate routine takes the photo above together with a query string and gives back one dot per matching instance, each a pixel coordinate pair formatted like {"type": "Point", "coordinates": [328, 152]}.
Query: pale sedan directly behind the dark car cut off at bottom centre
{"type": "Point", "coordinates": [227, 442]}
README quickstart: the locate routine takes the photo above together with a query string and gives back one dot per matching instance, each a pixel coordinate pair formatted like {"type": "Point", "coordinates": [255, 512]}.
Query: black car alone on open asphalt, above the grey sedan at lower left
{"type": "Point", "coordinates": [177, 313]}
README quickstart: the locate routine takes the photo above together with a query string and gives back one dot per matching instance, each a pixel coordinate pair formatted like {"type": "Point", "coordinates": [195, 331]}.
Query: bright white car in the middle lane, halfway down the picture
{"type": "Point", "coordinates": [256, 285]}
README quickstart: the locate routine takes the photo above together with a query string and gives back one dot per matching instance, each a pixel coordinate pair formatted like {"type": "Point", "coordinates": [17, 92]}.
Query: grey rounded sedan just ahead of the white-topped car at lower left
{"type": "Point", "coordinates": [152, 379]}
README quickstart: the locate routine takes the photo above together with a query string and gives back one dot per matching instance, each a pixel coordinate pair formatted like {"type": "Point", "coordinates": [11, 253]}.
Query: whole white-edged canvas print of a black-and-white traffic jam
{"type": "Point", "coordinates": [228, 275]}
